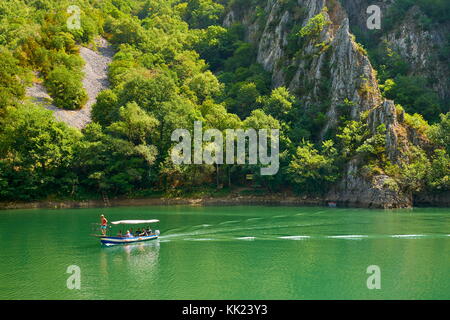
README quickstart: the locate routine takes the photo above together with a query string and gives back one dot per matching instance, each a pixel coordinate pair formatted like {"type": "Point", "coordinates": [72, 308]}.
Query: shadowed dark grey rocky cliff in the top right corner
{"type": "Point", "coordinates": [417, 41]}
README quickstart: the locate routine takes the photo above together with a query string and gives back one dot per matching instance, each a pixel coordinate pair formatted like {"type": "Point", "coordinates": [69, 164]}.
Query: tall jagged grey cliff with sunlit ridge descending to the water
{"type": "Point", "coordinates": [326, 68]}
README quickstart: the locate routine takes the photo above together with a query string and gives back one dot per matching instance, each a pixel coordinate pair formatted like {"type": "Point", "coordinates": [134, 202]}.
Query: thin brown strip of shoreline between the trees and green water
{"type": "Point", "coordinates": [276, 199]}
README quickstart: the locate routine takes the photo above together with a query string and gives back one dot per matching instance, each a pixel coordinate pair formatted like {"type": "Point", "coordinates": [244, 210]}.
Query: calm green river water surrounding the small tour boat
{"type": "Point", "coordinates": [229, 253]}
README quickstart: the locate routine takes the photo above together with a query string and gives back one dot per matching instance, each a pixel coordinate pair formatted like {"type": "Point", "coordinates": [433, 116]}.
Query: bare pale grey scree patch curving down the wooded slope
{"type": "Point", "coordinates": [95, 80]}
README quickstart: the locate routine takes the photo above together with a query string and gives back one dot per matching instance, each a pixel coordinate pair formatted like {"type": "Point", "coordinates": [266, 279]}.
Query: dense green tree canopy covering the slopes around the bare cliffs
{"type": "Point", "coordinates": [174, 64]}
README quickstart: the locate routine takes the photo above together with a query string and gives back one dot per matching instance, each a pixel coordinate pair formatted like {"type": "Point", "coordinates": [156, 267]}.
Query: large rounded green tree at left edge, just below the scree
{"type": "Point", "coordinates": [37, 153]}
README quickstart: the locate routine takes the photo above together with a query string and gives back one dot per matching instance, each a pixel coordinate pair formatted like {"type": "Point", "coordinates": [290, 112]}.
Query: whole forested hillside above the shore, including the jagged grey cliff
{"type": "Point", "coordinates": [261, 64]}
